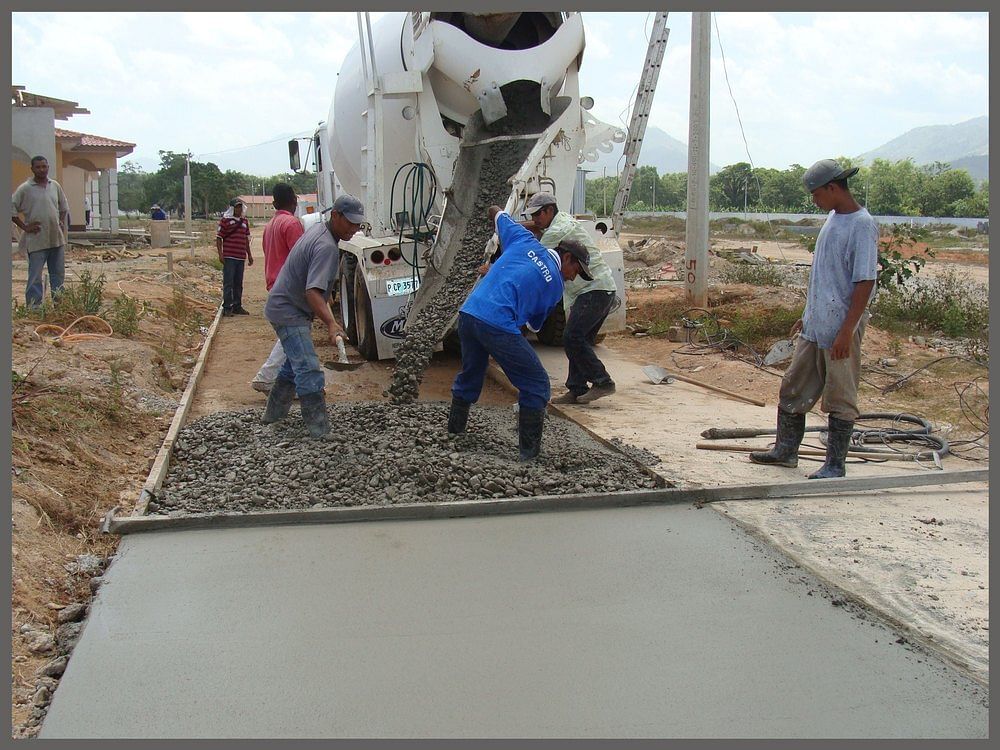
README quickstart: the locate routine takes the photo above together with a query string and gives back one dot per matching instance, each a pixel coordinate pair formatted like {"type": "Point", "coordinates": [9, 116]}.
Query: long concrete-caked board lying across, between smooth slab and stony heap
{"type": "Point", "coordinates": [543, 503]}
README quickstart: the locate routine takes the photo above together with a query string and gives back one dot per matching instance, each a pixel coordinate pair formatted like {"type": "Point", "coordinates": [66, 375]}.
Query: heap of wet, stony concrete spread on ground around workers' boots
{"type": "Point", "coordinates": [379, 454]}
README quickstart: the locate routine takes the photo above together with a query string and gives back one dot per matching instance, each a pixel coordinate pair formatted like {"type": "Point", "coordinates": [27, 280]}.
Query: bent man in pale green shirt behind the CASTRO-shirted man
{"type": "Point", "coordinates": [587, 303]}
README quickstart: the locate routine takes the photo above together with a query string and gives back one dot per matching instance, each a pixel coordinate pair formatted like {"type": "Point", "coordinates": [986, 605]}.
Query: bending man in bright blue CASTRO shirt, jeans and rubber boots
{"type": "Point", "coordinates": [522, 287]}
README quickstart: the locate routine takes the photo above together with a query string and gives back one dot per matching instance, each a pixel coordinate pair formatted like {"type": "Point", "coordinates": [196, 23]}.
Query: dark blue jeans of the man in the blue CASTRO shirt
{"type": "Point", "coordinates": [511, 351]}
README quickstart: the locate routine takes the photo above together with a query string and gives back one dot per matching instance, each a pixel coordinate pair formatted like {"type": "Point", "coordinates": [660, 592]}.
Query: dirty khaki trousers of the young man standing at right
{"type": "Point", "coordinates": [813, 374]}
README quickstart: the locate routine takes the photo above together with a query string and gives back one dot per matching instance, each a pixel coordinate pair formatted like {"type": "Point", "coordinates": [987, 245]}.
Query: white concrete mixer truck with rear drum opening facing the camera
{"type": "Point", "coordinates": [423, 102]}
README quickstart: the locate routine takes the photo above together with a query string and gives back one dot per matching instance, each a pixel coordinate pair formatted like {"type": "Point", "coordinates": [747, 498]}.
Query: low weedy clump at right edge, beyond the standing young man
{"type": "Point", "coordinates": [950, 303]}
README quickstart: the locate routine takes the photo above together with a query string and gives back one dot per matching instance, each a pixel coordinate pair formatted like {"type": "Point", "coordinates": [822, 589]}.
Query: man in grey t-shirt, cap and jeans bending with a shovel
{"type": "Point", "coordinates": [301, 293]}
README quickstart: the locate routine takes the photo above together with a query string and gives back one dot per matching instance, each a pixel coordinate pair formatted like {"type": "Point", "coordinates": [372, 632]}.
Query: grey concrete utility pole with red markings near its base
{"type": "Point", "coordinates": [696, 234]}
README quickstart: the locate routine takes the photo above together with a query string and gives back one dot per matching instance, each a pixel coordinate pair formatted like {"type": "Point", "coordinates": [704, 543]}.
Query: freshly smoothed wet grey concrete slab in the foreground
{"type": "Point", "coordinates": [635, 622]}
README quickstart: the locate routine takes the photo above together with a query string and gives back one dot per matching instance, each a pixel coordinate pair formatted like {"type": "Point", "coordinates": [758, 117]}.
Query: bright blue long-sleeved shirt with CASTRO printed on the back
{"type": "Point", "coordinates": [522, 286]}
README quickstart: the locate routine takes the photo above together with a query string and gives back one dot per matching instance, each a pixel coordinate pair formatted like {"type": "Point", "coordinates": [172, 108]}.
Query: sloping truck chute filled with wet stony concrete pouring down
{"type": "Point", "coordinates": [485, 165]}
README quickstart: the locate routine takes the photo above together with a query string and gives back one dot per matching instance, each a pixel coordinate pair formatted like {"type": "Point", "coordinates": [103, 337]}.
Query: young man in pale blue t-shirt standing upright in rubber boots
{"type": "Point", "coordinates": [827, 359]}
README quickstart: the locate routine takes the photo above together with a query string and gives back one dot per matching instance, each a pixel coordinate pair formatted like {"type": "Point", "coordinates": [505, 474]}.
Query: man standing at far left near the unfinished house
{"type": "Point", "coordinates": [45, 226]}
